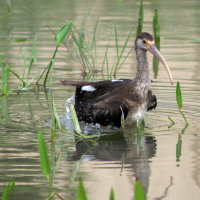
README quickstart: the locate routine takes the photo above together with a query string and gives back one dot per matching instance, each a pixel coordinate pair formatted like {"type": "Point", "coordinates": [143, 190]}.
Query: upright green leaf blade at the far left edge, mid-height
{"type": "Point", "coordinates": [5, 78]}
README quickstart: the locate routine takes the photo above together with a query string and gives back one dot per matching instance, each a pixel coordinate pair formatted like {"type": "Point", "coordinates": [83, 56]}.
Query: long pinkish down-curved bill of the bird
{"type": "Point", "coordinates": [152, 48]}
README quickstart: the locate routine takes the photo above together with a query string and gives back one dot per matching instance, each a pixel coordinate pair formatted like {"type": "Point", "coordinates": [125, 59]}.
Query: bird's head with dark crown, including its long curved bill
{"type": "Point", "coordinates": [145, 42]}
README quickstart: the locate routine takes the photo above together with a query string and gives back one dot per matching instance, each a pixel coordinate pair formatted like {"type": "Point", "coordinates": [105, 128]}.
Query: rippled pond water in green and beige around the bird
{"type": "Point", "coordinates": [113, 162]}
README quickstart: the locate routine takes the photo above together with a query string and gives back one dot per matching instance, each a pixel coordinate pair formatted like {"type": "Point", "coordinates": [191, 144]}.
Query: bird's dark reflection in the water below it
{"type": "Point", "coordinates": [125, 148]}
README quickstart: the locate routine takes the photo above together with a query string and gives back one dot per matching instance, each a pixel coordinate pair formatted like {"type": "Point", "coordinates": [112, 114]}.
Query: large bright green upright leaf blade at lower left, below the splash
{"type": "Point", "coordinates": [44, 158]}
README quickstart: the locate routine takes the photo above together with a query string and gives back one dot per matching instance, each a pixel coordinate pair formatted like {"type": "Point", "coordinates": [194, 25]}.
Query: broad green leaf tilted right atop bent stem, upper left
{"type": "Point", "coordinates": [63, 32]}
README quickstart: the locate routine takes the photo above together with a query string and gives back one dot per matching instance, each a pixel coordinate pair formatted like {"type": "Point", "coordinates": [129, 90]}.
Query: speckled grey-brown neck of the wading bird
{"type": "Point", "coordinates": [143, 75]}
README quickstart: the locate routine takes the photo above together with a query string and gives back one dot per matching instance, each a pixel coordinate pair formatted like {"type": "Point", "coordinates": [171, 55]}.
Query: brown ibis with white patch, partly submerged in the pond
{"type": "Point", "coordinates": [105, 102]}
